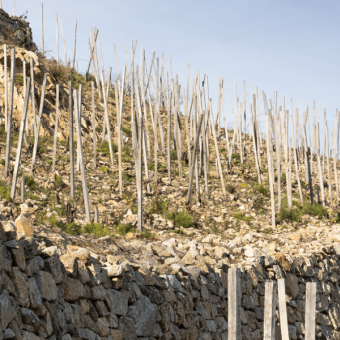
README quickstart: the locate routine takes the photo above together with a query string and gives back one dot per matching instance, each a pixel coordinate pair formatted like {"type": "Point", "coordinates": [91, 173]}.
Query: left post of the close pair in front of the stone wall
{"type": "Point", "coordinates": [269, 310]}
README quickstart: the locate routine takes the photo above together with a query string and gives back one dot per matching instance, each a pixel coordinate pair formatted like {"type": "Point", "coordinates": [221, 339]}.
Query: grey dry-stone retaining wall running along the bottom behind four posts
{"type": "Point", "coordinates": [81, 295]}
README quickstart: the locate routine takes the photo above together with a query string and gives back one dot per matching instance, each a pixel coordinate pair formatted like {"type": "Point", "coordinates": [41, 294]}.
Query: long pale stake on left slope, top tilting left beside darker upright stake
{"type": "Point", "coordinates": [77, 104]}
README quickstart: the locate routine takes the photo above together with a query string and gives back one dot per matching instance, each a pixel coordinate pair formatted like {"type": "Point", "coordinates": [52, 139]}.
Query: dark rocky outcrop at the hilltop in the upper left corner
{"type": "Point", "coordinates": [15, 31]}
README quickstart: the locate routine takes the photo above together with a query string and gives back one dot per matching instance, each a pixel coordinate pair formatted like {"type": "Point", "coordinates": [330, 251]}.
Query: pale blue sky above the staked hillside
{"type": "Point", "coordinates": [292, 47]}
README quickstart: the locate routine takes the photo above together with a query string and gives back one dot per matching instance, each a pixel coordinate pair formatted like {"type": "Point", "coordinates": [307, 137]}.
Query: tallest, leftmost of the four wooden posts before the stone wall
{"type": "Point", "coordinates": [234, 304]}
